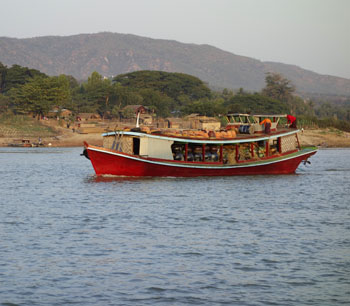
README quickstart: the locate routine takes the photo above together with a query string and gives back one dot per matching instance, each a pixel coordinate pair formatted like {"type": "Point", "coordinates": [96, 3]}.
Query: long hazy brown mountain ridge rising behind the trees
{"type": "Point", "coordinates": [111, 54]}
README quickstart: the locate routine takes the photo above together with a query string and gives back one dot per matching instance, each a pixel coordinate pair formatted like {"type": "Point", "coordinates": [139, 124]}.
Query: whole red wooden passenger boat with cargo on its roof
{"type": "Point", "coordinates": [245, 147]}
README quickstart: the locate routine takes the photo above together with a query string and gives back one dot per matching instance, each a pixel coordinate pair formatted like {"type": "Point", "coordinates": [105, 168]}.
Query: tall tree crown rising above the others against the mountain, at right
{"type": "Point", "coordinates": [277, 87]}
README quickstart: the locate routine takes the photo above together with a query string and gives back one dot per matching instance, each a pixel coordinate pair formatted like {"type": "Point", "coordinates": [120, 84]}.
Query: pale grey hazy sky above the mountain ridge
{"type": "Point", "coordinates": [312, 34]}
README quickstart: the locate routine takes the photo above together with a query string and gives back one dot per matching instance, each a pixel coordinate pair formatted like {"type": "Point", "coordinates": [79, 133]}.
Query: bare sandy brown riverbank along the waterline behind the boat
{"type": "Point", "coordinates": [326, 138]}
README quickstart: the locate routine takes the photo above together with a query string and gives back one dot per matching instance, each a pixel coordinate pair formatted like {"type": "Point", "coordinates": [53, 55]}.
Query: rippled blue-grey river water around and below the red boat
{"type": "Point", "coordinates": [67, 237]}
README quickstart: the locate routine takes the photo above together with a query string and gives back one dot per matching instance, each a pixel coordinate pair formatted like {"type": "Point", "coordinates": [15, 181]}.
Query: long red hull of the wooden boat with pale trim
{"type": "Point", "coordinates": [108, 162]}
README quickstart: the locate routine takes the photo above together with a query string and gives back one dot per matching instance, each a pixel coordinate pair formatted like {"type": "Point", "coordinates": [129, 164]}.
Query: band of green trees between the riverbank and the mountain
{"type": "Point", "coordinates": [24, 90]}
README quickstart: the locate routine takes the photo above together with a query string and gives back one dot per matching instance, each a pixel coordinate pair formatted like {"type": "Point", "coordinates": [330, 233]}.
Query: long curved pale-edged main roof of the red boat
{"type": "Point", "coordinates": [241, 138]}
